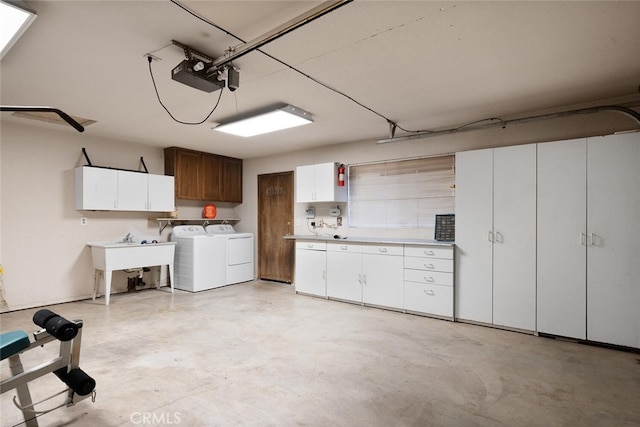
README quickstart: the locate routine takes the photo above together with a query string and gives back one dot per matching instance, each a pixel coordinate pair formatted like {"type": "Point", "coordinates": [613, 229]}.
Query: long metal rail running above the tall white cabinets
{"type": "Point", "coordinates": [503, 123]}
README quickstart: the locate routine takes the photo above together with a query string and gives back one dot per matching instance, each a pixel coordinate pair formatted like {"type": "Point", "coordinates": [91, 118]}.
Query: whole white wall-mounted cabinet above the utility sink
{"type": "Point", "coordinates": [116, 190]}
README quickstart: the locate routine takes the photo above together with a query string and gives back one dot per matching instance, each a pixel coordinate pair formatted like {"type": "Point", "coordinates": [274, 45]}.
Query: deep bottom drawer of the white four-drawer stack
{"type": "Point", "coordinates": [428, 299]}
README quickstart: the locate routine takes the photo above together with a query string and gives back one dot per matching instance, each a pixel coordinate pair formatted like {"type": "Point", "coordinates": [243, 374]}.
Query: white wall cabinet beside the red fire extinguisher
{"type": "Point", "coordinates": [319, 183]}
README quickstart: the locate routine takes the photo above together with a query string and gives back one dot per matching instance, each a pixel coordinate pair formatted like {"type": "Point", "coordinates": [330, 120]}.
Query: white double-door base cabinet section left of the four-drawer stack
{"type": "Point", "coordinates": [366, 273]}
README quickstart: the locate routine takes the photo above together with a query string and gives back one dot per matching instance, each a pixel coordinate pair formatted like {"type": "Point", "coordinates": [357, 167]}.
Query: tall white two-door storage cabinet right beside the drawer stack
{"type": "Point", "coordinates": [496, 236]}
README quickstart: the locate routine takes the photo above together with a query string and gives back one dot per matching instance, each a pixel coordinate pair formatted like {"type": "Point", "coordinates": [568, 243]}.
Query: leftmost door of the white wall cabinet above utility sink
{"type": "Point", "coordinates": [96, 188]}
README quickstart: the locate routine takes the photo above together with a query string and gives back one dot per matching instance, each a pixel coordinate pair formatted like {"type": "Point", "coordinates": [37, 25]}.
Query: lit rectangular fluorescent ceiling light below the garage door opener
{"type": "Point", "coordinates": [270, 121]}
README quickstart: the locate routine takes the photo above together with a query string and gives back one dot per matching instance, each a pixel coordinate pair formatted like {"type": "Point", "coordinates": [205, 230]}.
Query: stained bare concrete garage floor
{"type": "Point", "coordinates": [256, 354]}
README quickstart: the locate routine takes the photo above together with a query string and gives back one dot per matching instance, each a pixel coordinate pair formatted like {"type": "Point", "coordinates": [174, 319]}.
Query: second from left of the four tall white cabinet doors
{"type": "Point", "coordinates": [514, 228]}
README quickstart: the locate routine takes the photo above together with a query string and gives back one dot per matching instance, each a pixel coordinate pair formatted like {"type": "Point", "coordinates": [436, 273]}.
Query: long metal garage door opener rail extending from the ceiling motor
{"type": "Point", "coordinates": [287, 27]}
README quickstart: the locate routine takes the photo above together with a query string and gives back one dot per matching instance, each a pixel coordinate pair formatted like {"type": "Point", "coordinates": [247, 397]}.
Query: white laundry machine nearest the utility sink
{"type": "Point", "coordinates": [199, 262]}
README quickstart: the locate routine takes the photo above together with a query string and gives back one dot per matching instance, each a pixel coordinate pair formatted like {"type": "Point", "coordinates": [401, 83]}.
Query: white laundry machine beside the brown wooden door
{"type": "Point", "coordinates": [239, 252]}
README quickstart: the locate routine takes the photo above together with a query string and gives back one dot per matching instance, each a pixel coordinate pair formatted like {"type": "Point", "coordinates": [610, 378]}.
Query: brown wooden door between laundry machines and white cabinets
{"type": "Point", "coordinates": [275, 220]}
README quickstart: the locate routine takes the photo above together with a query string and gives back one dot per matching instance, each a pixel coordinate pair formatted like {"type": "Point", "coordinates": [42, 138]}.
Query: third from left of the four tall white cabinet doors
{"type": "Point", "coordinates": [562, 251]}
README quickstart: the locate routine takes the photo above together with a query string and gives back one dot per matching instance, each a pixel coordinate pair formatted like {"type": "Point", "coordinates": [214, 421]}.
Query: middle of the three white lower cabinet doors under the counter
{"type": "Point", "coordinates": [344, 275]}
